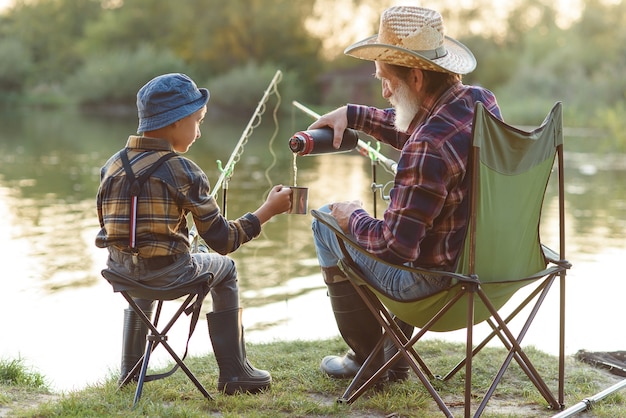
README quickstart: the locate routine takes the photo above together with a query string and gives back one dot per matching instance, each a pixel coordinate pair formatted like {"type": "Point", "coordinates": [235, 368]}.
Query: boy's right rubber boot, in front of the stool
{"type": "Point", "coordinates": [236, 372]}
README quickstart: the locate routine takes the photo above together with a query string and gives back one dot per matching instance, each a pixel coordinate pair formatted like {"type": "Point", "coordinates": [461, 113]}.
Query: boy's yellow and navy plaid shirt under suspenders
{"type": "Point", "coordinates": [176, 188]}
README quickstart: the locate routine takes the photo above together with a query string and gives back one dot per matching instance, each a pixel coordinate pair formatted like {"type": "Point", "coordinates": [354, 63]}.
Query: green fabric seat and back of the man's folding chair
{"type": "Point", "coordinates": [514, 169]}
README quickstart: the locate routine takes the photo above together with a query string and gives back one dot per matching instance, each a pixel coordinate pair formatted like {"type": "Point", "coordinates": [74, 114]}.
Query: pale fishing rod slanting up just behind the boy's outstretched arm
{"type": "Point", "coordinates": [226, 172]}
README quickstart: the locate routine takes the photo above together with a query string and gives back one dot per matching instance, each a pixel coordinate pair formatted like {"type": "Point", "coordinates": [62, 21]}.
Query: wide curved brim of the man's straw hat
{"type": "Point", "coordinates": [458, 60]}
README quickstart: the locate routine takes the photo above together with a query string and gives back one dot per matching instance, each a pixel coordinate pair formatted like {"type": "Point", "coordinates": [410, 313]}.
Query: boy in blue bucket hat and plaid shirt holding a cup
{"type": "Point", "coordinates": [170, 109]}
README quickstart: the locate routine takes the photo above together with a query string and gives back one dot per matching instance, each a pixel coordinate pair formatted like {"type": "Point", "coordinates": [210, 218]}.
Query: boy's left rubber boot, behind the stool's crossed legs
{"type": "Point", "coordinates": [134, 338]}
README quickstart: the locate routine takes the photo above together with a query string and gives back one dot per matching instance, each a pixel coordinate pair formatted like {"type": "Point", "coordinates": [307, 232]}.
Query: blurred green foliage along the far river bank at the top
{"type": "Point", "coordinates": [95, 53]}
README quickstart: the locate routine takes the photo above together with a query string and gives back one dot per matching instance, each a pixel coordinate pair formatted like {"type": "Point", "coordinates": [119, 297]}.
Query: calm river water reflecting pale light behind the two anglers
{"type": "Point", "coordinates": [64, 321]}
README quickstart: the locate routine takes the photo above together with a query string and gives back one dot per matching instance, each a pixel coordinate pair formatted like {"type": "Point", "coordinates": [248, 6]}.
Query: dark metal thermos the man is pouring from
{"type": "Point", "coordinates": [320, 141]}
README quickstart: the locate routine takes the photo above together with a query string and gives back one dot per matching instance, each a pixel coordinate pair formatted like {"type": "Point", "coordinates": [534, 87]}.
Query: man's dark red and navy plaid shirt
{"type": "Point", "coordinates": [425, 222]}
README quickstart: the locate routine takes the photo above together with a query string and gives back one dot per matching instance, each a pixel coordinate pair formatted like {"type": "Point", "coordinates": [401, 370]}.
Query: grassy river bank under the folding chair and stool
{"type": "Point", "coordinates": [300, 390]}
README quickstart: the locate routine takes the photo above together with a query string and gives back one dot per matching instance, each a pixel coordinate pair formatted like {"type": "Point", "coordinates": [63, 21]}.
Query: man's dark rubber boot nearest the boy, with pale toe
{"type": "Point", "coordinates": [358, 327]}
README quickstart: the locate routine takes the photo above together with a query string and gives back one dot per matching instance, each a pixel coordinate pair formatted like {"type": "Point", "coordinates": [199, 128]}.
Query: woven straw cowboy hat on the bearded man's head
{"type": "Point", "coordinates": [414, 37]}
